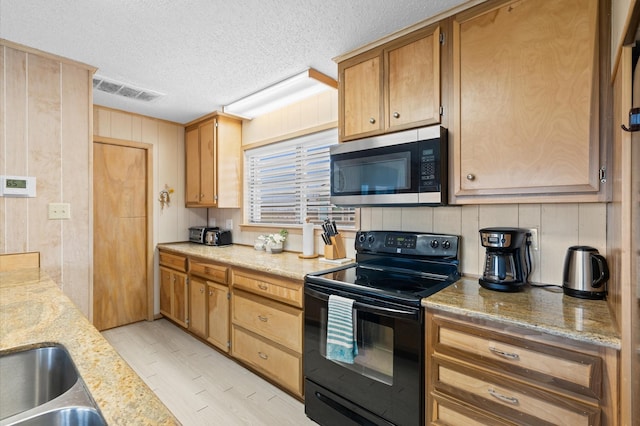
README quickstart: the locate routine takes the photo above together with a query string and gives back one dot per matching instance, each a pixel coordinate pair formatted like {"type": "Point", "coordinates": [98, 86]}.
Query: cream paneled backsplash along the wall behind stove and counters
{"type": "Point", "coordinates": [559, 227]}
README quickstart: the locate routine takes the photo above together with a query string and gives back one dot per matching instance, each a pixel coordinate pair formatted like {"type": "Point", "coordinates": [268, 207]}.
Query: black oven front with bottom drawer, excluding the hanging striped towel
{"type": "Point", "coordinates": [385, 383]}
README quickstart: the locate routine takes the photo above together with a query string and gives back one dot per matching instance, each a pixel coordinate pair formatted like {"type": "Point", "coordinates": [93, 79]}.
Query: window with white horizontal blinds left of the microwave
{"type": "Point", "coordinates": [287, 182]}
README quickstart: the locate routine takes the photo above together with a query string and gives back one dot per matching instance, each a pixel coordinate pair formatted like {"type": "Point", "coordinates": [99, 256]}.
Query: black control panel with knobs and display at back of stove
{"type": "Point", "coordinates": [410, 243]}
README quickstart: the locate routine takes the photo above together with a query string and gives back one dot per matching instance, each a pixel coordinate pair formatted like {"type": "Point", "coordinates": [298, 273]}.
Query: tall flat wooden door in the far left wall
{"type": "Point", "coordinates": [120, 235]}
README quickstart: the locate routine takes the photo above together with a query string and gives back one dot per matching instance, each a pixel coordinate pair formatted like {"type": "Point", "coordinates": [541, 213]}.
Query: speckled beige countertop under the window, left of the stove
{"type": "Point", "coordinates": [285, 264]}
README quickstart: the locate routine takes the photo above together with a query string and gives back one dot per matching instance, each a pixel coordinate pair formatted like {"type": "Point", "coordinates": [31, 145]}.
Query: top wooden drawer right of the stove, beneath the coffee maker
{"type": "Point", "coordinates": [534, 361]}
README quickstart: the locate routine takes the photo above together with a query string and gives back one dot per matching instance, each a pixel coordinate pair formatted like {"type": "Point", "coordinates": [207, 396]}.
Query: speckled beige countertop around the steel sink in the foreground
{"type": "Point", "coordinates": [34, 310]}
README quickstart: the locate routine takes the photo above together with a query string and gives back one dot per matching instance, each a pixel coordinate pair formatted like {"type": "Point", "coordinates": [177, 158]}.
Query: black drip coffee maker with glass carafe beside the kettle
{"type": "Point", "coordinates": [506, 266]}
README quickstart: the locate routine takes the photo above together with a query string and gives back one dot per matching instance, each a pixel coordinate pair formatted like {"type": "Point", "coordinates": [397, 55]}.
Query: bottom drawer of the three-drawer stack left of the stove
{"type": "Point", "coordinates": [280, 365]}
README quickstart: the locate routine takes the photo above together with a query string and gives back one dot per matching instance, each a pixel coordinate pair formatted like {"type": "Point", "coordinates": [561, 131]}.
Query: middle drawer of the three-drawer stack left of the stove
{"type": "Point", "coordinates": [272, 320]}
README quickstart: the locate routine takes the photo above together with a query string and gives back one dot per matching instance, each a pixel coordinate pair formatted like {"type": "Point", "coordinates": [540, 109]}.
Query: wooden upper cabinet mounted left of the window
{"type": "Point", "coordinates": [213, 155]}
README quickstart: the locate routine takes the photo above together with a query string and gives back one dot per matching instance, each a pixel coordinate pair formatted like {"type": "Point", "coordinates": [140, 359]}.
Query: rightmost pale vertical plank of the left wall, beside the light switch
{"type": "Point", "coordinates": [76, 161]}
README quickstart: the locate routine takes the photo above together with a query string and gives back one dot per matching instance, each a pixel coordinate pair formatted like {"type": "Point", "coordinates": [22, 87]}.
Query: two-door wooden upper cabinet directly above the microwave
{"type": "Point", "coordinates": [392, 87]}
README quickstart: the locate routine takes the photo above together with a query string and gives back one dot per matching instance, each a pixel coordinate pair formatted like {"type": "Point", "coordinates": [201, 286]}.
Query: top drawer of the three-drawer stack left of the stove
{"type": "Point", "coordinates": [290, 292]}
